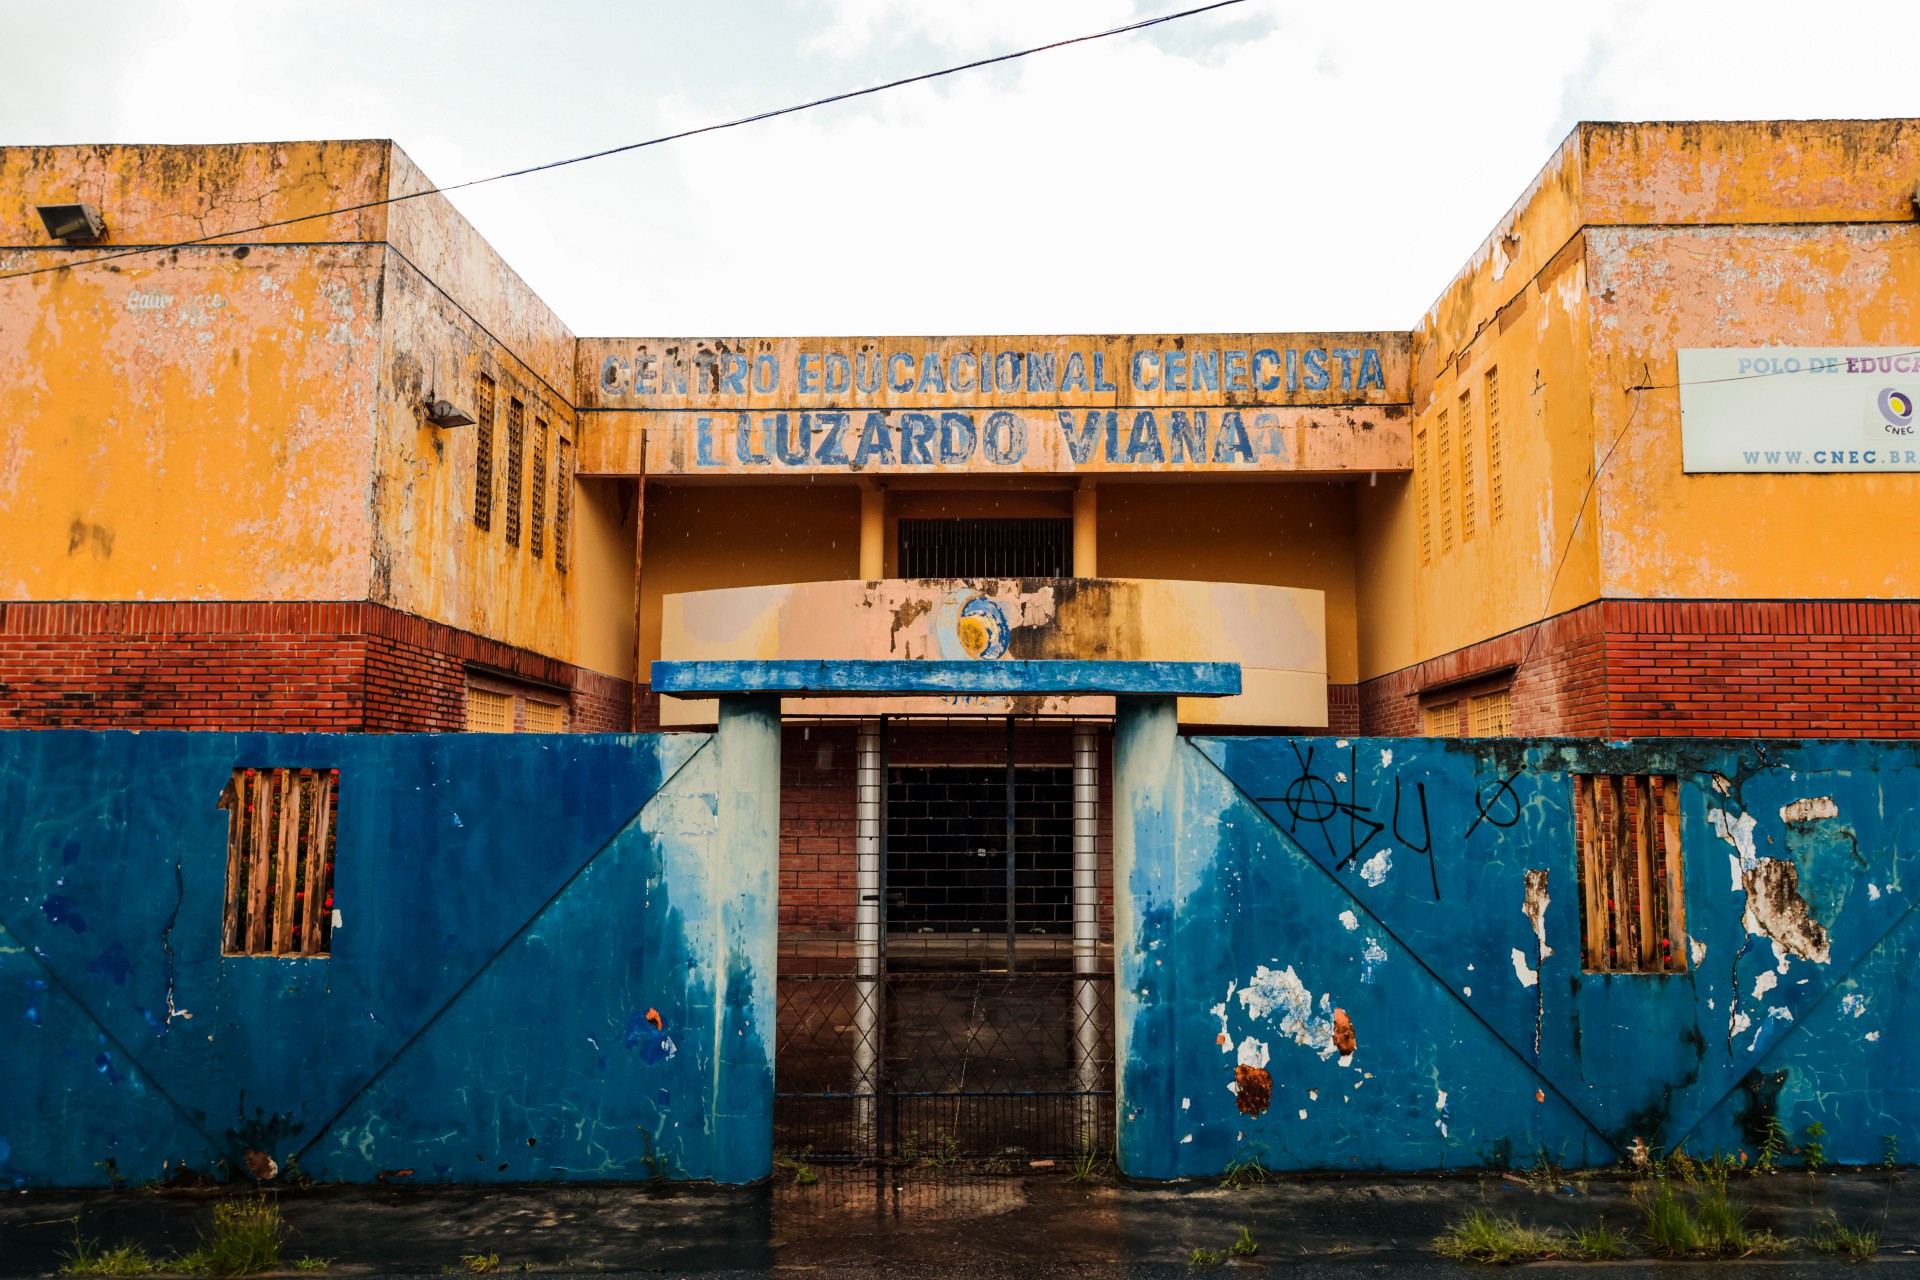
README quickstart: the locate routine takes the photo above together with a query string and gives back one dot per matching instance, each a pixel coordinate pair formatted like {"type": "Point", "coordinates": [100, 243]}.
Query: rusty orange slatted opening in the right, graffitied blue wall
{"type": "Point", "coordinates": [1633, 914]}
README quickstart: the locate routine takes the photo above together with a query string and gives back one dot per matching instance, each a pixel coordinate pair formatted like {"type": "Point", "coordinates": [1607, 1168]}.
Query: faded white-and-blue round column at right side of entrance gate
{"type": "Point", "coordinates": [1145, 838]}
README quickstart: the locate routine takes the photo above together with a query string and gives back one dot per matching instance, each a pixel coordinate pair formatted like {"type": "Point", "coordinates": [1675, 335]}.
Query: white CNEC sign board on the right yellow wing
{"type": "Point", "coordinates": [1800, 410]}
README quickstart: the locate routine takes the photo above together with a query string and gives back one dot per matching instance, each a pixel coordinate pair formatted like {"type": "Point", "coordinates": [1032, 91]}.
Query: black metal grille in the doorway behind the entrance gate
{"type": "Point", "coordinates": [948, 865]}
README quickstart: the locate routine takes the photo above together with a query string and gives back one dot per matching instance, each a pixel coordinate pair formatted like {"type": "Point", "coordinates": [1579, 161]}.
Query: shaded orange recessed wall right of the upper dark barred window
{"type": "Point", "coordinates": [1285, 534]}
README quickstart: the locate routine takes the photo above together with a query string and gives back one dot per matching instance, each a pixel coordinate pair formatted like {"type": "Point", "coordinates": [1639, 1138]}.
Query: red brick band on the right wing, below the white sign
{"type": "Point", "coordinates": [1685, 669]}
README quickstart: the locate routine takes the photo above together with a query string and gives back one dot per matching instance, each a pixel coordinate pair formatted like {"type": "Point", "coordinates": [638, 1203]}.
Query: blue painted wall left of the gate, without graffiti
{"type": "Point", "coordinates": [512, 911]}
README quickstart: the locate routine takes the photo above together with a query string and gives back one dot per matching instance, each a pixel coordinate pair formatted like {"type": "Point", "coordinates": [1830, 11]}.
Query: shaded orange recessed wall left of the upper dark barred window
{"type": "Point", "coordinates": [742, 536]}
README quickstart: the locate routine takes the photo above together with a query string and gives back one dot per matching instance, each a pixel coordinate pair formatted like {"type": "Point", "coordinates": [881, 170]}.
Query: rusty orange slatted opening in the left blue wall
{"type": "Point", "coordinates": [279, 863]}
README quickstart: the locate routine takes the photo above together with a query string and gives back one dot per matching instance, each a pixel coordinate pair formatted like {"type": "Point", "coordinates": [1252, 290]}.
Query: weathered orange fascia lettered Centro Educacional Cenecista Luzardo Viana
{"type": "Point", "coordinates": [996, 406]}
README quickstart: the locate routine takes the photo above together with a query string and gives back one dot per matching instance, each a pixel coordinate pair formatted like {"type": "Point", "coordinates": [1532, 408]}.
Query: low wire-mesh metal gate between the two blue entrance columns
{"type": "Point", "coordinates": [942, 1066]}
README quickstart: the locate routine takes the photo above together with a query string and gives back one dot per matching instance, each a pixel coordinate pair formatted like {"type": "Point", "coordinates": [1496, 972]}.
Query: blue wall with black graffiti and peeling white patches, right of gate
{"type": "Point", "coordinates": [1274, 889]}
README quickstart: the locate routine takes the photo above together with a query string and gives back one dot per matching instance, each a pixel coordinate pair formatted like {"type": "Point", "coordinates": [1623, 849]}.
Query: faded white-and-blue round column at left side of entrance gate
{"type": "Point", "coordinates": [744, 901]}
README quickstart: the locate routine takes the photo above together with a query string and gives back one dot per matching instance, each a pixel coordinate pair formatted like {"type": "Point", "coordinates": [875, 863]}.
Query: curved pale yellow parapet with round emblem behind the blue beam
{"type": "Point", "coordinates": [1276, 634]}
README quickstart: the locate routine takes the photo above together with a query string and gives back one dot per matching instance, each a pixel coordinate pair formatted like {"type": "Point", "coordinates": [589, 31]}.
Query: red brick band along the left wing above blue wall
{"type": "Point", "coordinates": [314, 667]}
